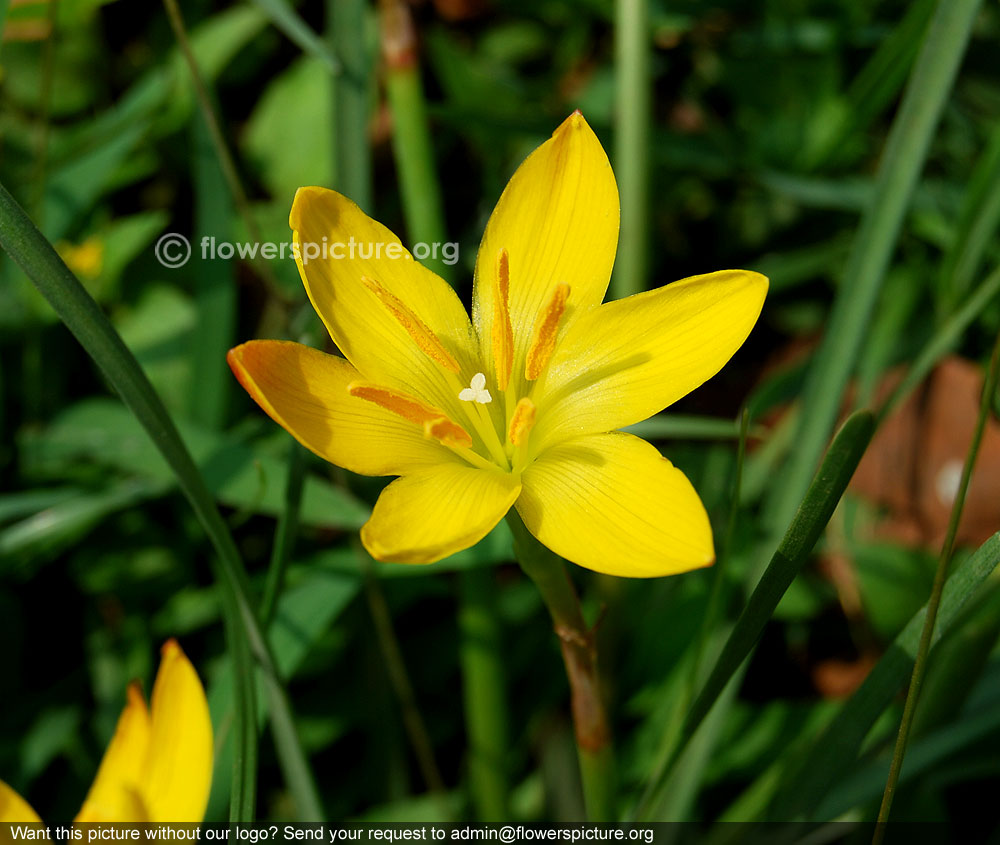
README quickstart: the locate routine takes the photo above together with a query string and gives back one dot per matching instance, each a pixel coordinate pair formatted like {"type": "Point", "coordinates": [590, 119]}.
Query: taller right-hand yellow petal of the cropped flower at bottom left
{"type": "Point", "coordinates": [178, 772]}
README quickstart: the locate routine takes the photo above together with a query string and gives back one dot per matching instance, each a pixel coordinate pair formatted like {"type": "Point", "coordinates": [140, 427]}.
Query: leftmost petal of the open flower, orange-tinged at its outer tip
{"type": "Point", "coordinates": [306, 392]}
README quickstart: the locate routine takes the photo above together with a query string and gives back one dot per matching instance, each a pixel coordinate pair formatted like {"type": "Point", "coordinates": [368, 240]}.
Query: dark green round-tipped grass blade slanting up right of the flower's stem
{"type": "Point", "coordinates": [813, 514]}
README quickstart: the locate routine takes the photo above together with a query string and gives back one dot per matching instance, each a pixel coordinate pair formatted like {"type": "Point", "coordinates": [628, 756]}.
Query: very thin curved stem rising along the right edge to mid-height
{"type": "Point", "coordinates": [940, 576]}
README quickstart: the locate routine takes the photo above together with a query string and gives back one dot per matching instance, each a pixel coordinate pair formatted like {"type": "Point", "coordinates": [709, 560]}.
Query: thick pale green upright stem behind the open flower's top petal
{"type": "Point", "coordinates": [632, 117]}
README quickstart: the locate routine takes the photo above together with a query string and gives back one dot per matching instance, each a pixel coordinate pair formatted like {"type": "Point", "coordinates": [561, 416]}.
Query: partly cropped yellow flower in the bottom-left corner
{"type": "Point", "coordinates": [158, 766]}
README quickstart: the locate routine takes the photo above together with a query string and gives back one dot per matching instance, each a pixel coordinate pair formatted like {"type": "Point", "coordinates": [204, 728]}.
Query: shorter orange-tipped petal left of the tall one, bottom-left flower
{"type": "Point", "coordinates": [113, 795]}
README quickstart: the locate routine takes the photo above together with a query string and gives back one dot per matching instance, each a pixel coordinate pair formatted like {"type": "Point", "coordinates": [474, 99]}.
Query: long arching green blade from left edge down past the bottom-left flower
{"type": "Point", "coordinates": [76, 308]}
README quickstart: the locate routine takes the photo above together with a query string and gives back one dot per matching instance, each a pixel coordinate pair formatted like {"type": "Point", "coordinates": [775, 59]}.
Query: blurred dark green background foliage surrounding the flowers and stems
{"type": "Point", "coordinates": [767, 126]}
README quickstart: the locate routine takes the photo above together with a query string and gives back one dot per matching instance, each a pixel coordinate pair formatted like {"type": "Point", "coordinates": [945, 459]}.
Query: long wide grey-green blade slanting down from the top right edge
{"type": "Point", "coordinates": [900, 167]}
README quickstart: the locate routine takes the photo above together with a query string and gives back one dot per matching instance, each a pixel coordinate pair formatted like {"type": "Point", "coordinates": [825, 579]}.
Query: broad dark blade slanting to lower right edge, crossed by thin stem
{"type": "Point", "coordinates": [807, 780]}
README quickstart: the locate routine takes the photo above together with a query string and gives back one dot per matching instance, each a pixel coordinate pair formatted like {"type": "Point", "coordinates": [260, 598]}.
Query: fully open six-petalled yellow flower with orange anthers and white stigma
{"type": "Point", "coordinates": [519, 406]}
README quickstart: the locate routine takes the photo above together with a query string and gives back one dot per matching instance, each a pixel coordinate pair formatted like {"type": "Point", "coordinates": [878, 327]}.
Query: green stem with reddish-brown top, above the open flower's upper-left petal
{"type": "Point", "coordinates": [411, 135]}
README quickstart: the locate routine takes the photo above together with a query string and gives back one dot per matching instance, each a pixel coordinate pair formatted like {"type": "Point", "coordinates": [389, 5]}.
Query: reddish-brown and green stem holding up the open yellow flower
{"type": "Point", "coordinates": [579, 651]}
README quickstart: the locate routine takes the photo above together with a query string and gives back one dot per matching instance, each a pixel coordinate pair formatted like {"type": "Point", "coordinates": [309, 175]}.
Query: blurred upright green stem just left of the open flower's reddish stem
{"type": "Point", "coordinates": [484, 694]}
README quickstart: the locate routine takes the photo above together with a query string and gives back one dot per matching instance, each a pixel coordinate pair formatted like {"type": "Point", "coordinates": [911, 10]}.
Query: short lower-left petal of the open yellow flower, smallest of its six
{"type": "Point", "coordinates": [427, 516]}
